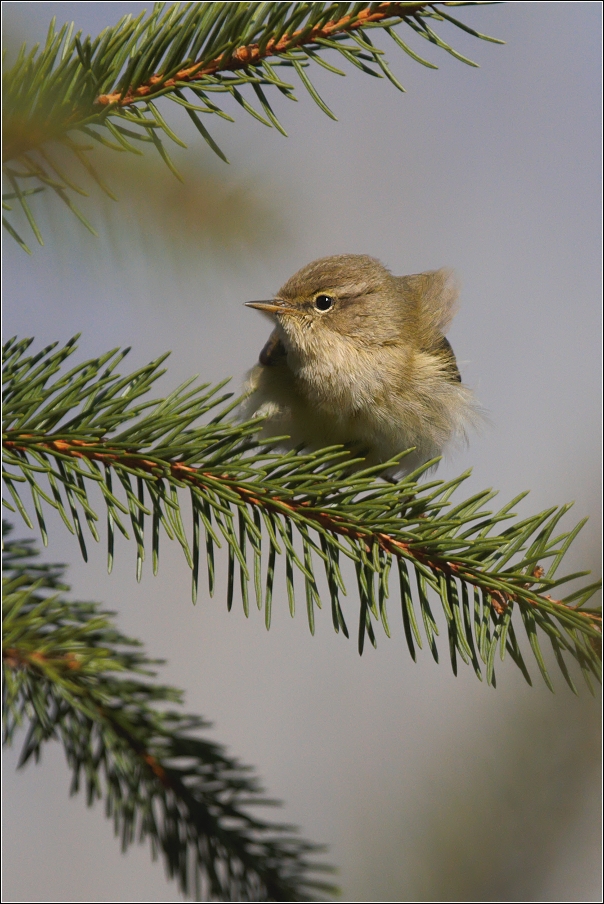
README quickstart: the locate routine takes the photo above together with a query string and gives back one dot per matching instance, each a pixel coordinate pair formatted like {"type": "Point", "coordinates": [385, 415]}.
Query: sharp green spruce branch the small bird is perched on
{"type": "Point", "coordinates": [69, 431]}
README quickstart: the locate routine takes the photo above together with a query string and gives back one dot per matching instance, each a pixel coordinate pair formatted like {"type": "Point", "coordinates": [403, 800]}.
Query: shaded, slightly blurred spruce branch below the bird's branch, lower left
{"type": "Point", "coordinates": [70, 675]}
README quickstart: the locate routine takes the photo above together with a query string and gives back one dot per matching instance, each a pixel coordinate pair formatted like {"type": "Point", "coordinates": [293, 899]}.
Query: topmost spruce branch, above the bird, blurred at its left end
{"type": "Point", "coordinates": [77, 92]}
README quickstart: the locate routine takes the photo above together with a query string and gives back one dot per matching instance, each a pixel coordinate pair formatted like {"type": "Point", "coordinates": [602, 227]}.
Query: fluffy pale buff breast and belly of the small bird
{"type": "Point", "coordinates": [379, 414]}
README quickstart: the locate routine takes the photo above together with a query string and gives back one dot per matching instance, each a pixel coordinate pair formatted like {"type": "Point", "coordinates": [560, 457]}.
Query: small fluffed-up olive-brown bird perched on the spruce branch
{"type": "Point", "coordinates": [359, 357]}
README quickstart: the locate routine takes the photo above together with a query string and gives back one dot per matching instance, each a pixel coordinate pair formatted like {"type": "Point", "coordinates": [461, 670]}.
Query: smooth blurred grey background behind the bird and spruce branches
{"type": "Point", "coordinates": [424, 786]}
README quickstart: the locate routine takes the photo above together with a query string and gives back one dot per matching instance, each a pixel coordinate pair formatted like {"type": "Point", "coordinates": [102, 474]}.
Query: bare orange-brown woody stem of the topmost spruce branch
{"type": "Point", "coordinates": [250, 55]}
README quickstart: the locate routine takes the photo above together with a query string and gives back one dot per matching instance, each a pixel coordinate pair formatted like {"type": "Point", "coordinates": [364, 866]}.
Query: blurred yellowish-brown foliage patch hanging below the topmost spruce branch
{"type": "Point", "coordinates": [202, 213]}
